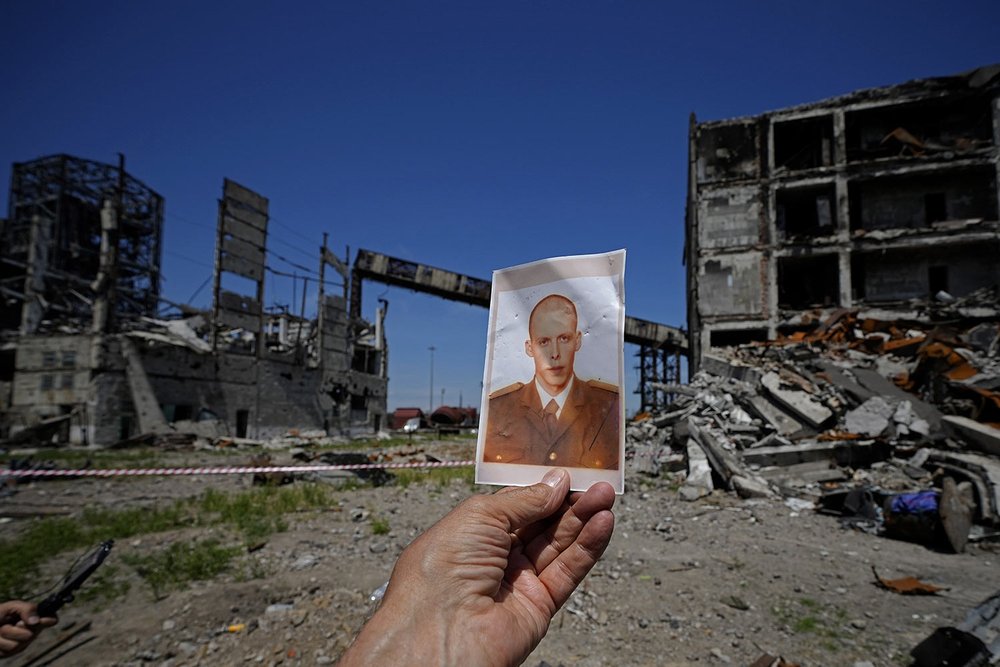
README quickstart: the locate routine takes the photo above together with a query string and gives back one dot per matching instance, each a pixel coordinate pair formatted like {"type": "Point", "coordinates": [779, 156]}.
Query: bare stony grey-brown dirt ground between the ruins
{"type": "Point", "coordinates": [716, 581]}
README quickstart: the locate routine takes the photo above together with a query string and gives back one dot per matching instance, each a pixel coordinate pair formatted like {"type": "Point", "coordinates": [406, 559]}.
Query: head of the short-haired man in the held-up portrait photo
{"type": "Point", "coordinates": [552, 343]}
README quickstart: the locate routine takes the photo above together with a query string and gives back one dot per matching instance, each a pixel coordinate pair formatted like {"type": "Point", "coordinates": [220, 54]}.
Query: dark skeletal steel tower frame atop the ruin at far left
{"type": "Point", "coordinates": [50, 245]}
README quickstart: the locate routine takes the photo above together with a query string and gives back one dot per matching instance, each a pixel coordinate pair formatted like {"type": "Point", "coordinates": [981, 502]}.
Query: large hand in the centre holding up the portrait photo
{"type": "Point", "coordinates": [480, 587]}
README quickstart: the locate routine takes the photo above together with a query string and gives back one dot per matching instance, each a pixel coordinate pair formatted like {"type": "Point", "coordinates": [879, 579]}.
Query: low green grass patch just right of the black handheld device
{"type": "Point", "coordinates": [181, 563]}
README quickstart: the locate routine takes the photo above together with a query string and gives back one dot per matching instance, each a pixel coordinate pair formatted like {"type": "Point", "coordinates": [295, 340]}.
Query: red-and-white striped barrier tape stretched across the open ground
{"type": "Point", "coordinates": [228, 470]}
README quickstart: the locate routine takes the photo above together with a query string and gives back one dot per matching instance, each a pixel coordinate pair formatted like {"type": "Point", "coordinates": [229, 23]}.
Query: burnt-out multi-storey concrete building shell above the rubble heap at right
{"type": "Point", "coordinates": [881, 198]}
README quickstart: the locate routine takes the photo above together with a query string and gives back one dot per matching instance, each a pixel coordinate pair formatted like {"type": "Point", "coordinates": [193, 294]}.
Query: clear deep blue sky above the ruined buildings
{"type": "Point", "coordinates": [466, 135]}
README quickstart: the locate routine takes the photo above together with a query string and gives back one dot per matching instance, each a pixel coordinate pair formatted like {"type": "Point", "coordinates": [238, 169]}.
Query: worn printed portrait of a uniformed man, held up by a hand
{"type": "Point", "coordinates": [553, 378]}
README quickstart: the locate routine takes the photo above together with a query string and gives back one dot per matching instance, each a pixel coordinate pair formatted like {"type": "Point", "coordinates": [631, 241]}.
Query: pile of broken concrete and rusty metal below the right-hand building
{"type": "Point", "coordinates": [850, 402]}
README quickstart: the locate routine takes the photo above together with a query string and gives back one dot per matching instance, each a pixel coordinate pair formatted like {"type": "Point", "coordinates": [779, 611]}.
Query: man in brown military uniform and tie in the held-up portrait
{"type": "Point", "coordinates": [556, 418]}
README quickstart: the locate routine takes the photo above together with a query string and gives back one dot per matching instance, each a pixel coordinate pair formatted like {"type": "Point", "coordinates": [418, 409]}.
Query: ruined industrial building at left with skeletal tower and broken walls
{"type": "Point", "coordinates": [84, 358]}
